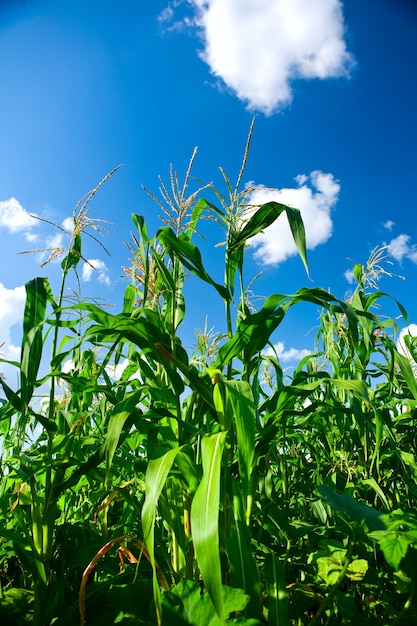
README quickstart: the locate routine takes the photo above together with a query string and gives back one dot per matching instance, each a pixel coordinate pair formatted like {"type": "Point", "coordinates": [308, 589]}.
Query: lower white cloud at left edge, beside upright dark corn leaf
{"type": "Point", "coordinates": [12, 303]}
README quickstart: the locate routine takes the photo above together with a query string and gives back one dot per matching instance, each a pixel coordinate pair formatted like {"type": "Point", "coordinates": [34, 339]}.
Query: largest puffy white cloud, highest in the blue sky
{"type": "Point", "coordinates": [257, 47]}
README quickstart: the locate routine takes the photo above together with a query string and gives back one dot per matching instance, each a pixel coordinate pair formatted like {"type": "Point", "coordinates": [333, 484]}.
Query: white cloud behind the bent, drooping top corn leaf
{"type": "Point", "coordinates": [275, 244]}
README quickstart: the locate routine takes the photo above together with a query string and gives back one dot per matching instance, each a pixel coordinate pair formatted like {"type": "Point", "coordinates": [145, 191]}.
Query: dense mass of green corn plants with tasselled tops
{"type": "Point", "coordinates": [207, 488]}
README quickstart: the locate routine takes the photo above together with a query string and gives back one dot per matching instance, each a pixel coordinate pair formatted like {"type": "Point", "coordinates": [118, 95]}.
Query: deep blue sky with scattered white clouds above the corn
{"type": "Point", "coordinates": [86, 86]}
